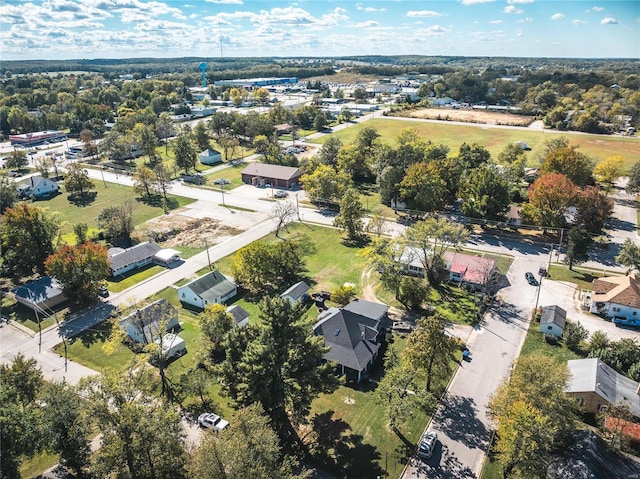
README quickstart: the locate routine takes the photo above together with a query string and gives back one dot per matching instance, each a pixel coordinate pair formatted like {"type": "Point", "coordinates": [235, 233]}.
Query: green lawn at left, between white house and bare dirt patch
{"type": "Point", "coordinates": [111, 195]}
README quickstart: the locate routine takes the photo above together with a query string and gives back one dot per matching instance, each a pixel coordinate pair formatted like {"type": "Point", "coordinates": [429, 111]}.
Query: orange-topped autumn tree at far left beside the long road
{"type": "Point", "coordinates": [79, 269]}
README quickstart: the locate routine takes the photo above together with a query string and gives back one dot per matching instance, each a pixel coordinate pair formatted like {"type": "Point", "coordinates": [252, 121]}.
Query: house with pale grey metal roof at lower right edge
{"type": "Point", "coordinates": [595, 385]}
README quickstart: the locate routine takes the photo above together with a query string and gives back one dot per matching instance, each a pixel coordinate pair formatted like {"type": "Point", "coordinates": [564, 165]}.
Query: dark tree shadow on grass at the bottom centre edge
{"type": "Point", "coordinates": [340, 451]}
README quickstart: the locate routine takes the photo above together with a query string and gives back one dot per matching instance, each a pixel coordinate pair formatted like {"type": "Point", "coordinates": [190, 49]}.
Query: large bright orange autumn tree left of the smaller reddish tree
{"type": "Point", "coordinates": [549, 197]}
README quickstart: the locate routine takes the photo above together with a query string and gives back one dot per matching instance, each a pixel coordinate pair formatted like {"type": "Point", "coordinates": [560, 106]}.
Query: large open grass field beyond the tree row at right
{"type": "Point", "coordinates": [598, 147]}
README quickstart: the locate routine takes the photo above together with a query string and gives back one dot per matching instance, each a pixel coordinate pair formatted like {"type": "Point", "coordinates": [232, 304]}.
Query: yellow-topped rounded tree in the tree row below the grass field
{"type": "Point", "coordinates": [422, 187]}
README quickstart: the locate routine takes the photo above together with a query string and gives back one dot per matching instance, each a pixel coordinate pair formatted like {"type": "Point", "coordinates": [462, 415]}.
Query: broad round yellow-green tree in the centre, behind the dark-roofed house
{"type": "Point", "coordinates": [263, 268]}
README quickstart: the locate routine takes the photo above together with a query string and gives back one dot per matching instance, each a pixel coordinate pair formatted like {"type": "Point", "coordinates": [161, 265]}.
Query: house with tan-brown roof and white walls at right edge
{"type": "Point", "coordinates": [616, 297]}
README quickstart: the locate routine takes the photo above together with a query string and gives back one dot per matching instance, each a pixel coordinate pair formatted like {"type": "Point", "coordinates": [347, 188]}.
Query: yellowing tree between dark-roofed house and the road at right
{"type": "Point", "coordinates": [430, 349]}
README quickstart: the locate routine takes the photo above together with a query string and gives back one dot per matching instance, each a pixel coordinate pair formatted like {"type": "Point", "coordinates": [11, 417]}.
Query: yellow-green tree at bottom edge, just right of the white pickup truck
{"type": "Point", "coordinates": [249, 447]}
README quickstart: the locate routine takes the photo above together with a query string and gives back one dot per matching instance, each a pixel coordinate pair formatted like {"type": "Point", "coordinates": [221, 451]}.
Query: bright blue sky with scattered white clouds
{"type": "Point", "coordinates": [88, 29]}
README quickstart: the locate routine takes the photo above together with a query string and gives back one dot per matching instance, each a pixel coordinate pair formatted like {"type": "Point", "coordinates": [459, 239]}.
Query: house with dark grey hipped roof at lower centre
{"type": "Point", "coordinates": [353, 334]}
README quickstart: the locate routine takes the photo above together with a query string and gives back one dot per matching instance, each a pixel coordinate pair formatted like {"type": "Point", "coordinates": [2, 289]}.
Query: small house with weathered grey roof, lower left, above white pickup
{"type": "Point", "coordinates": [151, 322]}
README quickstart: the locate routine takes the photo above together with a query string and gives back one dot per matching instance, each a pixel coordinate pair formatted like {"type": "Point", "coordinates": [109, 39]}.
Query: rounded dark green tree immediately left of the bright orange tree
{"type": "Point", "coordinates": [485, 194]}
